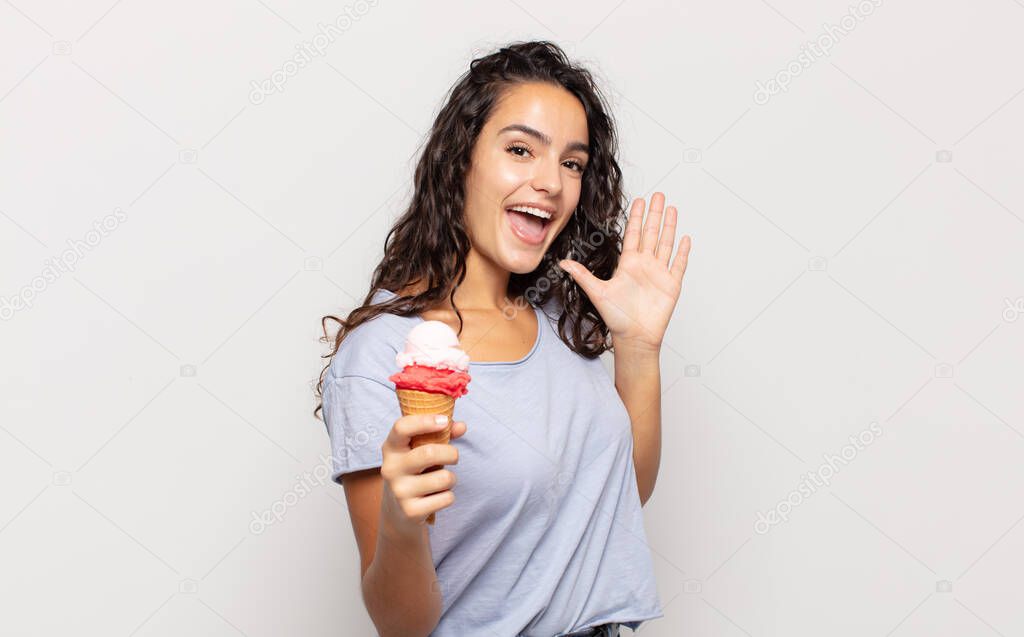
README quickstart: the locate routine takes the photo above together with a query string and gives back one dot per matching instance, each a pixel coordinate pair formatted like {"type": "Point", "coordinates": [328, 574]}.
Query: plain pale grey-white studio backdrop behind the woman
{"type": "Point", "coordinates": [182, 201]}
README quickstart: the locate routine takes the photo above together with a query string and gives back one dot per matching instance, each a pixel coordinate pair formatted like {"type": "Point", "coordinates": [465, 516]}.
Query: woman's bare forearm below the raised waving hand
{"type": "Point", "coordinates": [638, 380]}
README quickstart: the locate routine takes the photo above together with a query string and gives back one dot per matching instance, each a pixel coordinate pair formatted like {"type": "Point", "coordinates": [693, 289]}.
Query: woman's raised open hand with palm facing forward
{"type": "Point", "coordinates": [637, 303]}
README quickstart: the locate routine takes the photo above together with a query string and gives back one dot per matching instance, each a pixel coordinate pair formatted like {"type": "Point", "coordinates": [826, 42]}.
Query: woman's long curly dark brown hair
{"type": "Point", "coordinates": [430, 242]}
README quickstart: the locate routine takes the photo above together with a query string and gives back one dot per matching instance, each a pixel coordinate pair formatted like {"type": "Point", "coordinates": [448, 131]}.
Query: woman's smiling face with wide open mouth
{"type": "Point", "coordinates": [532, 152]}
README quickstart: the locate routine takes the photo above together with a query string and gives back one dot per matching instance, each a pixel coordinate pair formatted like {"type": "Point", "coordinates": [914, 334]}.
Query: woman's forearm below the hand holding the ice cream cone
{"type": "Point", "coordinates": [401, 588]}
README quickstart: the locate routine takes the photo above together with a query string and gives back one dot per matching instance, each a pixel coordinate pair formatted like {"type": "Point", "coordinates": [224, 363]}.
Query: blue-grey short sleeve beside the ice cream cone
{"type": "Point", "coordinates": [359, 413]}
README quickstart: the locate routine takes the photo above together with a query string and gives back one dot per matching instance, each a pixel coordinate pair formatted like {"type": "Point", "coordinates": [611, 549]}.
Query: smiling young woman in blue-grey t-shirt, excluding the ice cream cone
{"type": "Point", "coordinates": [539, 529]}
